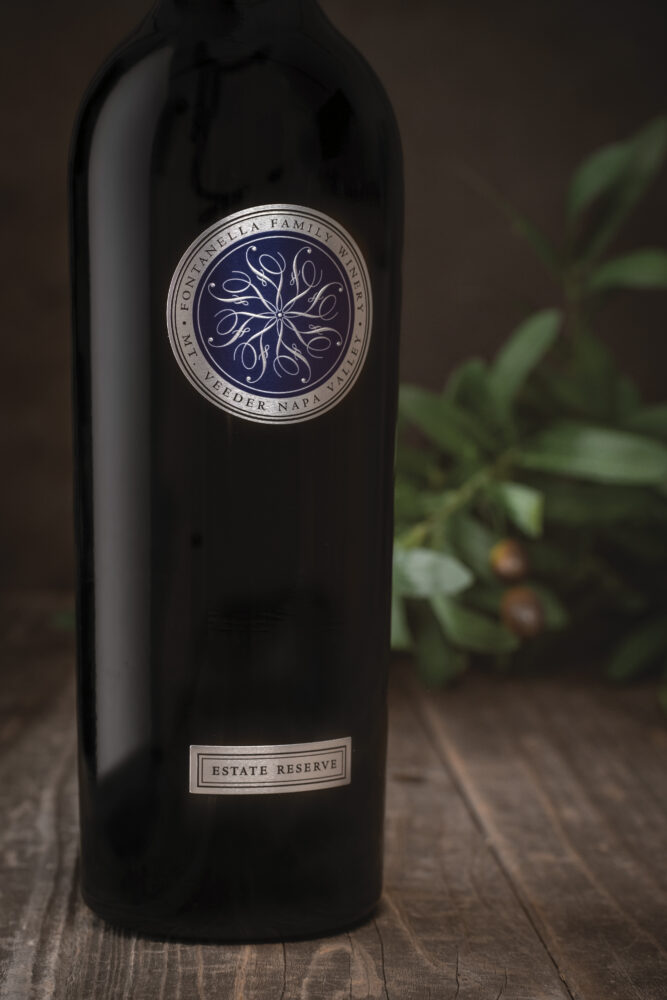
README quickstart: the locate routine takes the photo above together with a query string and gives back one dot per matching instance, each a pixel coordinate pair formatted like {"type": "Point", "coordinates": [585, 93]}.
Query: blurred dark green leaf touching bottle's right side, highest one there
{"type": "Point", "coordinates": [444, 423]}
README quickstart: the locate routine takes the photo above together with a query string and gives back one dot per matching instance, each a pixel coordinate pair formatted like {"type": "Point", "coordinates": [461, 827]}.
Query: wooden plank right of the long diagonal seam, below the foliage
{"type": "Point", "coordinates": [568, 783]}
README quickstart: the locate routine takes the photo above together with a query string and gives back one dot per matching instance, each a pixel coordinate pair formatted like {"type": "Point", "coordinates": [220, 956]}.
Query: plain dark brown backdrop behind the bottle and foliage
{"type": "Point", "coordinates": [519, 90]}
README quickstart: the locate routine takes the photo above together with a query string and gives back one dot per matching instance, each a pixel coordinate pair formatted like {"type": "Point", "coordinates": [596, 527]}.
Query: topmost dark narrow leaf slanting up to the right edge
{"type": "Point", "coordinates": [646, 154]}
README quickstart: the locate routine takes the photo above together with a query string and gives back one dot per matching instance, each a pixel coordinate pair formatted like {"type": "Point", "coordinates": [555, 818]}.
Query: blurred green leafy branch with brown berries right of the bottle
{"type": "Point", "coordinates": [531, 493]}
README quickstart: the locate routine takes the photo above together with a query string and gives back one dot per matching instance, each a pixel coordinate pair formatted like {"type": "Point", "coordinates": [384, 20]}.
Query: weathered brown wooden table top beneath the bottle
{"type": "Point", "coordinates": [525, 853]}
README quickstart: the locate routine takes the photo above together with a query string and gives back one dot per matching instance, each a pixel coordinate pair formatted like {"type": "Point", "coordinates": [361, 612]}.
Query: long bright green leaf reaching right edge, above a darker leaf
{"type": "Point", "coordinates": [596, 453]}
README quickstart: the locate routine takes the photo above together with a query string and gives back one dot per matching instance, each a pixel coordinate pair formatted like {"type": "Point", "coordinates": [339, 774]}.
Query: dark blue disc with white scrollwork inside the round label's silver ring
{"type": "Point", "coordinates": [274, 314]}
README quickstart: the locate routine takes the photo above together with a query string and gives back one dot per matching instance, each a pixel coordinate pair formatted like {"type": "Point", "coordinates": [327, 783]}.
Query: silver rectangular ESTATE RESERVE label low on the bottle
{"type": "Point", "coordinates": [270, 770]}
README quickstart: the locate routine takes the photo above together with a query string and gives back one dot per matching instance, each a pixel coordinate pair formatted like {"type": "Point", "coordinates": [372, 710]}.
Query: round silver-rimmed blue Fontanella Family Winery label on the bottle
{"type": "Point", "coordinates": [270, 312]}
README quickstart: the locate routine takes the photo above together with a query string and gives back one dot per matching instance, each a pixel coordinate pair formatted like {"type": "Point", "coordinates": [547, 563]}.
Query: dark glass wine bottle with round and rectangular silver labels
{"type": "Point", "coordinates": [236, 230]}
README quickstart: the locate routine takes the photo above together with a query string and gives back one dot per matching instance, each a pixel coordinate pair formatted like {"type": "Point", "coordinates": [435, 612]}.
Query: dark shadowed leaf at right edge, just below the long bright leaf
{"type": "Point", "coordinates": [581, 505]}
